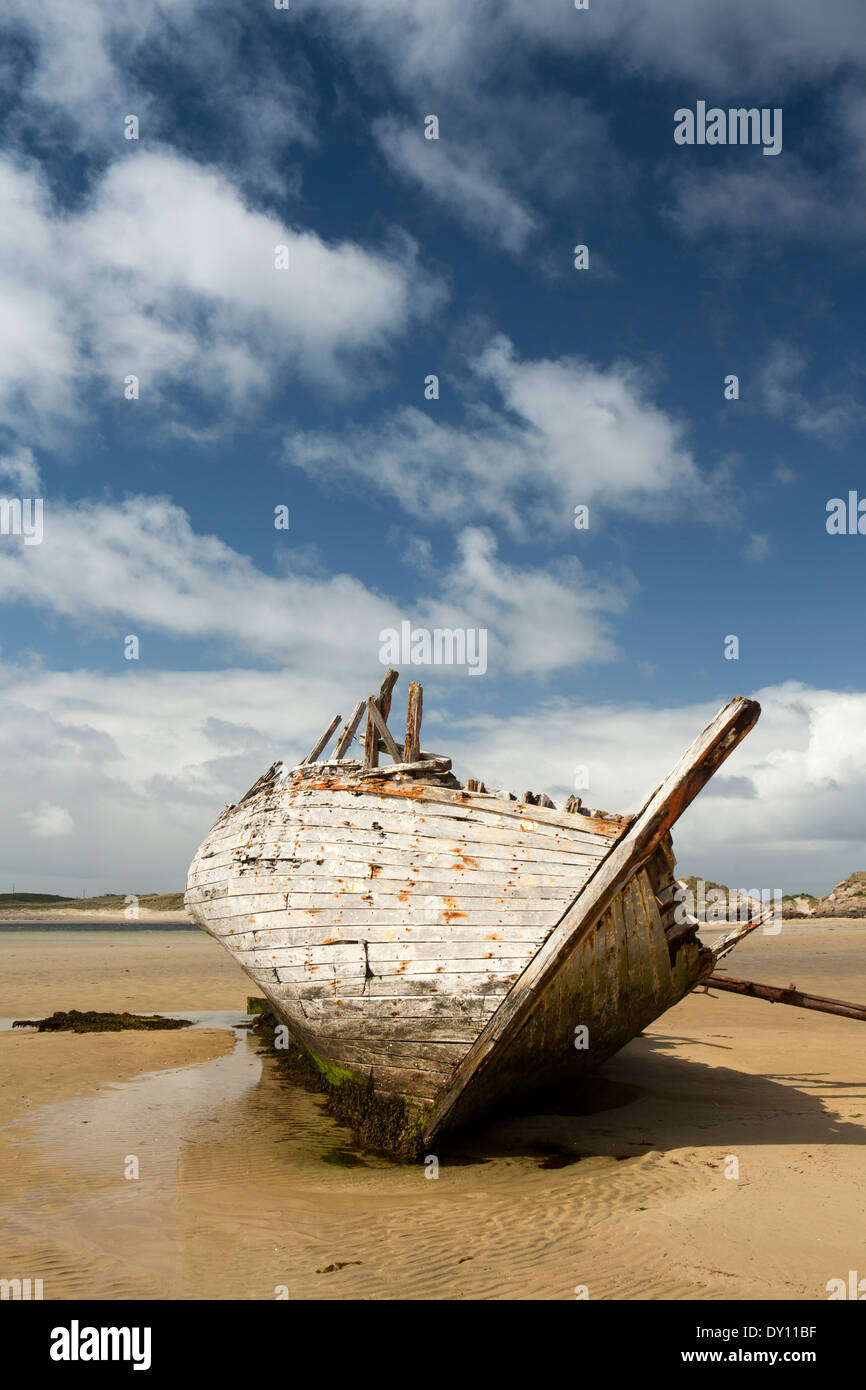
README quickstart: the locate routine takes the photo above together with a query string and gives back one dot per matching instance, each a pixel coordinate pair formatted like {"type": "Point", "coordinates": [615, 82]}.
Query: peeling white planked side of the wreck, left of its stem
{"type": "Point", "coordinates": [387, 922]}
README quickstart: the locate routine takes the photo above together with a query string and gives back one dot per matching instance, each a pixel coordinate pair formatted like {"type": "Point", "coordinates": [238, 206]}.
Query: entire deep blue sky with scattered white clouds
{"type": "Point", "coordinates": [304, 387]}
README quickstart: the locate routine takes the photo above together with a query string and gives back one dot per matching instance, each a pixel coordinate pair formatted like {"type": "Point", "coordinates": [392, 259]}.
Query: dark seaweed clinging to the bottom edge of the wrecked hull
{"type": "Point", "coordinates": [379, 1122]}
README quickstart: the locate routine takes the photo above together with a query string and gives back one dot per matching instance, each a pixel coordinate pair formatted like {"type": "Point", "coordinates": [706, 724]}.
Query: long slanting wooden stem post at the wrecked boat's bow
{"type": "Point", "coordinates": [629, 853]}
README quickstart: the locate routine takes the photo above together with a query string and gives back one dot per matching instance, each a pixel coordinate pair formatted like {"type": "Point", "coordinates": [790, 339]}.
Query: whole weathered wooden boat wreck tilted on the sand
{"type": "Point", "coordinates": [436, 947]}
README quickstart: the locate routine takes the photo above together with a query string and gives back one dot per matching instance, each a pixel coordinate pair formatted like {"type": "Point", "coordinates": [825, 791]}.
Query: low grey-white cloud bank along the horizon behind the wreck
{"type": "Point", "coordinates": [144, 762]}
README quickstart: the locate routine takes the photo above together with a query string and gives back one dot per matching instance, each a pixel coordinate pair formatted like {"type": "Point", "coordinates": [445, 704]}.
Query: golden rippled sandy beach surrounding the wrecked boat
{"type": "Point", "coordinates": [248, 1188]}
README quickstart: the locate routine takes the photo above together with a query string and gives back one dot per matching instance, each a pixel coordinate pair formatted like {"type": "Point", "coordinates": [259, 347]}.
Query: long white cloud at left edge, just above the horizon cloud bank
{"type": "Point", "coordinates": [140, 565]}
